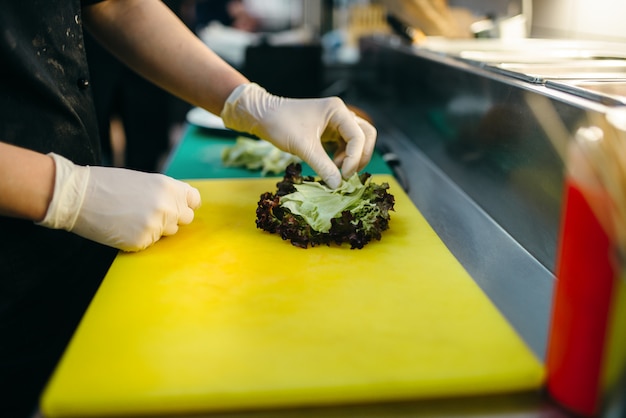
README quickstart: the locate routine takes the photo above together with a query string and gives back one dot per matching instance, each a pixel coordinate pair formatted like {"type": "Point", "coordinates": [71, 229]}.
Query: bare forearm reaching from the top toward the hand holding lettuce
{"type": "Point", "coordinates": [150, 38]}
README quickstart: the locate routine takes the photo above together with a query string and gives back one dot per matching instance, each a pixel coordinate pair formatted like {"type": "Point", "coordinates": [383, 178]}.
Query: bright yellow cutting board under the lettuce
{"type": "Point", "coordinates": [224, 316]}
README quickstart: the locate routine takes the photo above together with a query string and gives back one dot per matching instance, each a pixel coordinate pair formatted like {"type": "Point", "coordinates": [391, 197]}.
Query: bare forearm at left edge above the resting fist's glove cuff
{"type": "Point", "coordinates": [26, 182]}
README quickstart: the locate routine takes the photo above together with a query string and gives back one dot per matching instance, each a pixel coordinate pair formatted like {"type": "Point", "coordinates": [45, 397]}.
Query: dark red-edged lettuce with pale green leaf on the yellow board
{"type": "Point", "coordinates": [307, 212]}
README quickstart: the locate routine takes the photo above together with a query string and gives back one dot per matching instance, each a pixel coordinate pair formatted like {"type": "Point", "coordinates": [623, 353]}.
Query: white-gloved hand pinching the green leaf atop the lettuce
{"type": "Point", "coordinates": [302, 127]}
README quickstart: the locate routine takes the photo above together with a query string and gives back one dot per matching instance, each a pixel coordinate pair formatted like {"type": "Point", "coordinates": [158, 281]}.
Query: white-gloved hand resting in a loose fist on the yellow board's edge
{"type": "Point", "coordinates": [125, 209]}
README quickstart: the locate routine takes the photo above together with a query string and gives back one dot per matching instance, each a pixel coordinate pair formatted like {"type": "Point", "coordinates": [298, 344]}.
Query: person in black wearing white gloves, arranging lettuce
{"type": "Point", "coordinates": [63, 217]}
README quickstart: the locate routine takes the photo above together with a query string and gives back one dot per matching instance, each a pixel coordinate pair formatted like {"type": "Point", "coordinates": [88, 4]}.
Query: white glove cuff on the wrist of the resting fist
{"type": "Point", "coordinates": [70, 184]}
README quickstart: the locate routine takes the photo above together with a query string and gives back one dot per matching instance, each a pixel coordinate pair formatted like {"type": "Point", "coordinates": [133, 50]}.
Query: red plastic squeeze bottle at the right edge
{"type": "Point", "coordinates": [586, 278]}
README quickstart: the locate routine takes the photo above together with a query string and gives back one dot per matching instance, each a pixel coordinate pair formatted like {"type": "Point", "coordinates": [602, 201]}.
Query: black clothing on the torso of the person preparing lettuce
{"type": "Point", "coordinates": [47, 277]}
